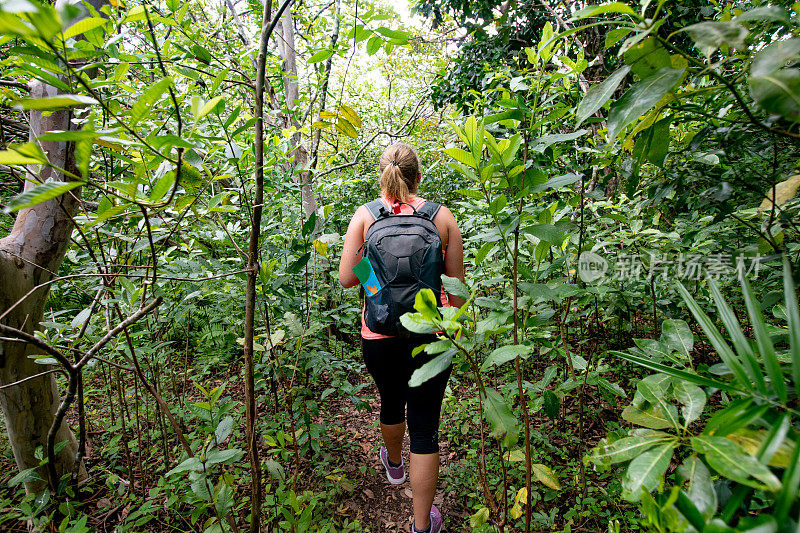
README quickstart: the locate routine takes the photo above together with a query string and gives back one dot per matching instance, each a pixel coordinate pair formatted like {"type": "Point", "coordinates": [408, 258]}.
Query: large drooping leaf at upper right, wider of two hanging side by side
{"type": "Point", "coordinates": [640, 98]}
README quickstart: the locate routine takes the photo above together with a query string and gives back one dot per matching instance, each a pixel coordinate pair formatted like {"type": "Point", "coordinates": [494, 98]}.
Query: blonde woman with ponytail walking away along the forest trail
{"type": "Point", "coordinates": [389, 359]}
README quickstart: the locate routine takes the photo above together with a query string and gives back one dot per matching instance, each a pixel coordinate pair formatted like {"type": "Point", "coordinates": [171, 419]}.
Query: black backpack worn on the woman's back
{"type": "Point", "coordinates": [406, 255]}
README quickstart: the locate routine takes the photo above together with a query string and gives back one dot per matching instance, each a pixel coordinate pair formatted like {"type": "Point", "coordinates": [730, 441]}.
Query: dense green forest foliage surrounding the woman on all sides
{"type": "Point", "coordinates": [625, 179]}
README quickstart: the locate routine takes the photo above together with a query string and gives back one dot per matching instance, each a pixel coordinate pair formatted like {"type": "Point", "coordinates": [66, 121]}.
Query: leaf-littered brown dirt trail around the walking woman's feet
{"type": "Point", "coordinates": [380, 506]}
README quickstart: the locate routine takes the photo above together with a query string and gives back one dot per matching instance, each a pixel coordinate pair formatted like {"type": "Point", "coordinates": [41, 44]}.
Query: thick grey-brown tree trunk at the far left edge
{"type": "Point", "coordinates": [29, 256]}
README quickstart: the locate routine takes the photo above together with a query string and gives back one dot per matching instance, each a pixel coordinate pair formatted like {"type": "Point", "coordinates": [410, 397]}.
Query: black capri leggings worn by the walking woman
{"type": "Point", "coordinates": [390, 363]}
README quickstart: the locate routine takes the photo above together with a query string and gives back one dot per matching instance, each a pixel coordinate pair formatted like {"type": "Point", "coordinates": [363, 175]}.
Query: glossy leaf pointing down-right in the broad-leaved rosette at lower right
{"type": "Point", "coordinates": [729, 460]}
